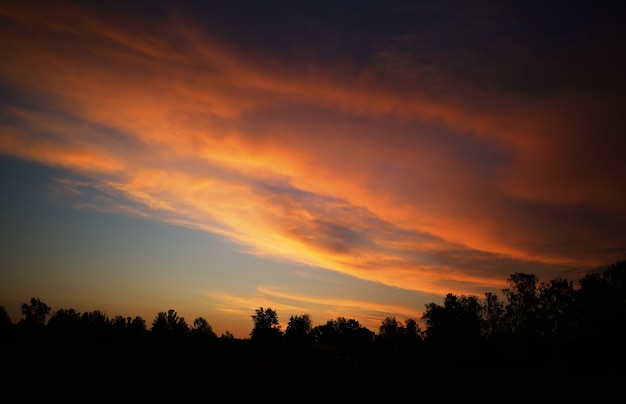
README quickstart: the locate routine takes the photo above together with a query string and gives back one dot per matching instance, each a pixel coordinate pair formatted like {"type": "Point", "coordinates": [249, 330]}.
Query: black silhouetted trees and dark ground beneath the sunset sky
{"type": "Point", "coordinates": [556, 338]}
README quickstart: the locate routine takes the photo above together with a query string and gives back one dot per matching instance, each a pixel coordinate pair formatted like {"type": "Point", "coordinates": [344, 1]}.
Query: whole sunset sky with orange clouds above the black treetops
{"type": "Point", "coordinates": [336, 158]}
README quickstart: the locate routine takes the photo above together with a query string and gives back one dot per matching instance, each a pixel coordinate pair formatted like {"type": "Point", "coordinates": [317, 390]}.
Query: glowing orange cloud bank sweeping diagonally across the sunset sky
{"type": "Point", "coordinates": [419, 164]}
